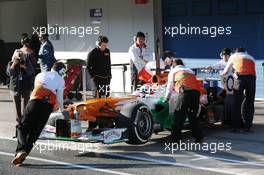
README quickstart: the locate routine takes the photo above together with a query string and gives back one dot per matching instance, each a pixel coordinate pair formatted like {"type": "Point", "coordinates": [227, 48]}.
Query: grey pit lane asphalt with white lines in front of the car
{"type": "Point", "coordinates": [245, 157]}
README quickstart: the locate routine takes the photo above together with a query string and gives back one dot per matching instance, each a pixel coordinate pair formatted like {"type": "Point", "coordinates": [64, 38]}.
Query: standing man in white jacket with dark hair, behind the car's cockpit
{"type": "Point", "coordinates": [140, 55]}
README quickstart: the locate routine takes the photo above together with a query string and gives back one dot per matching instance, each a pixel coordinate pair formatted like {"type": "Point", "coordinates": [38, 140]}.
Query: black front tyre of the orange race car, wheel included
{"type": "Point", "coordinates": [139, 124]}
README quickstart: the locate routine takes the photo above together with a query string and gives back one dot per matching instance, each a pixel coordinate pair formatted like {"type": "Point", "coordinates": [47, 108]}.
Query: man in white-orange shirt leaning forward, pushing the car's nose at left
{"type": "Point", "coordinates": [48, 90]}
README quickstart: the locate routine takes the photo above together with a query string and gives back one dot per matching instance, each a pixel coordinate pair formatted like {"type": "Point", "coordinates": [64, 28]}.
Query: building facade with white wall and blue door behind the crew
{"type": "Point", "coordinates": [196, 29]}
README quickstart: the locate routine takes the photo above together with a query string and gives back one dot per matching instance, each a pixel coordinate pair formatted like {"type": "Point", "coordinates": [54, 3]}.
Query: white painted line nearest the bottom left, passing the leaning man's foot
{"type": "Point", "coordinates": [68, 164]}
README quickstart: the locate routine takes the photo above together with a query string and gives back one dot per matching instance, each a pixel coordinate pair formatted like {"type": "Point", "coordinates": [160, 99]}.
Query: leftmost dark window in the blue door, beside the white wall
{"type": "Point", "coordinates": [177, 9]}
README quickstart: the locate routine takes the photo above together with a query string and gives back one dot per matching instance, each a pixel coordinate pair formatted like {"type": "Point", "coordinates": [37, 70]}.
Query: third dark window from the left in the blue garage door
{"type": "Point", "coordinates": [228, 7]}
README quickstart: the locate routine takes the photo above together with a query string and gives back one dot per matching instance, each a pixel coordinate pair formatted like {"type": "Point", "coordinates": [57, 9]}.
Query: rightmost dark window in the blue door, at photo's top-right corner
{"type": "Point", "coordinates": [254, 7]}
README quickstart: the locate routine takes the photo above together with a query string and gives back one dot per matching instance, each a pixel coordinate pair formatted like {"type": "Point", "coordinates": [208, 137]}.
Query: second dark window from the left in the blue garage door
{"type": "Point", "coordinates": [201, 8]}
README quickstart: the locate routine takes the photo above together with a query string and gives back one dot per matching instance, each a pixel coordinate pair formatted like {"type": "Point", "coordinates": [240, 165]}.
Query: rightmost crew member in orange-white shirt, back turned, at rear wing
{"type": "Point", "coordinates": [244, 88]}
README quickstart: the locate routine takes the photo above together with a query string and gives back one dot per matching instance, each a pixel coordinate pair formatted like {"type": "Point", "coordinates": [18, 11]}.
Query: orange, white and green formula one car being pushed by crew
{"type": "Point", "coordinates": [134, 119]}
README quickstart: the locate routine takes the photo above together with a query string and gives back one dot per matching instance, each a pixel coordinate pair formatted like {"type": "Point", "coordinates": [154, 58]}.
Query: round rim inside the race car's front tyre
{"type": "Point", "coordinates": [144, 123]}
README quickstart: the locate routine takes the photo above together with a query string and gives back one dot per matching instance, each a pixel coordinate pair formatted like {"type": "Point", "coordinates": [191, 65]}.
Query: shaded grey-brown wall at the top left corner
{"type": "Point", "coordinates": [20, 16]}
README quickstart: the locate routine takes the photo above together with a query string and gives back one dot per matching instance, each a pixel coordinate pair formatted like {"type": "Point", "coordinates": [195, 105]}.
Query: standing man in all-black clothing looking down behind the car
{"type": "Point", "coordinates": [99, 66]}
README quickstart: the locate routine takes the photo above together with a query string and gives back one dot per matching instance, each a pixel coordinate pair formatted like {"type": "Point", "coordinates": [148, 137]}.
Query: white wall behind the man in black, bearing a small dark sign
{"type": "Point", "coordinates": [121, 20]}
